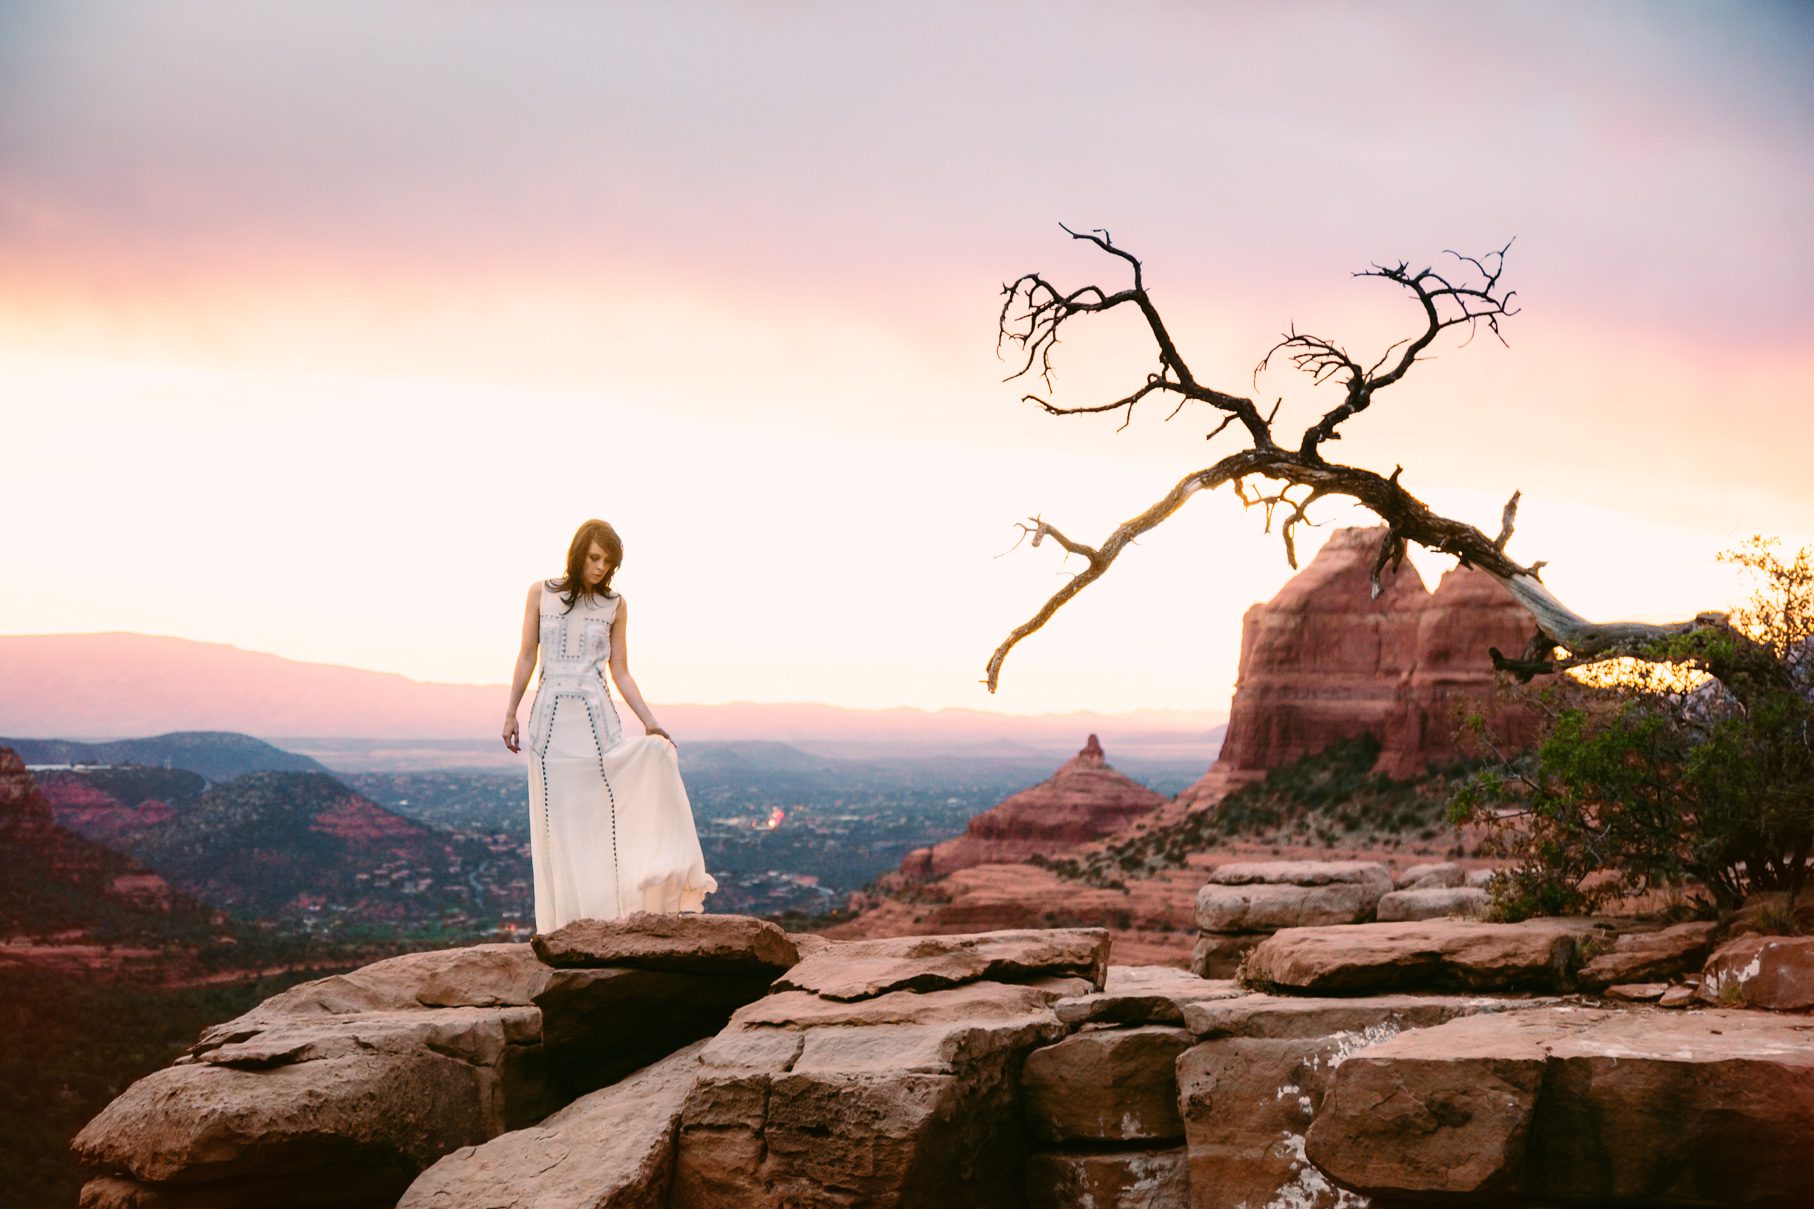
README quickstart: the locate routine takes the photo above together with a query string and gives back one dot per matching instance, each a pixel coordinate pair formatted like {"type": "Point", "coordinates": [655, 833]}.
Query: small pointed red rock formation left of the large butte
{"type": "Point", "coordinates": [1082, 801]}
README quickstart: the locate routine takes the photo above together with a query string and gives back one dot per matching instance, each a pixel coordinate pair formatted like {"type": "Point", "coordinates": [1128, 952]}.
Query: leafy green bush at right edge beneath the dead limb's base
{"type": "Point", "coordinates": [1659, 778]}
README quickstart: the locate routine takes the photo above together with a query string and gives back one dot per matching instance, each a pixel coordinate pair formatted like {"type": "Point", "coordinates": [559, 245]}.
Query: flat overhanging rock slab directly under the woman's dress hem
{"type": "Point", "coordinates": [658, 941]}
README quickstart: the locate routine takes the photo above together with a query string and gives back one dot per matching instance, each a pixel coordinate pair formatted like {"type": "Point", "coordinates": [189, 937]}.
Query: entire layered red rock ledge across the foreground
{"type": "Point", "coordinates": [1401, 1063]}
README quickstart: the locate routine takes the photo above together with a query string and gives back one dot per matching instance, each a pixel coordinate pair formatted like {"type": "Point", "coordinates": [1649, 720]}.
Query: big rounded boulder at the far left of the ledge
{"type": "Point", "coordinates": [338, 1090]}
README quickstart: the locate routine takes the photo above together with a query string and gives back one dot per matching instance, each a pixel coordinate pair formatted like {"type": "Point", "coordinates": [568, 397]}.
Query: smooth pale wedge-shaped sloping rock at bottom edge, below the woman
{"type": "Point", "coordinates": [609, 1150]}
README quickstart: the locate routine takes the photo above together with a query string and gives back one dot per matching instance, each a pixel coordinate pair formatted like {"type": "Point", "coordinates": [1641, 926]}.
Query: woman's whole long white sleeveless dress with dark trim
{"type": "Point", "coordinates": [610, 823]}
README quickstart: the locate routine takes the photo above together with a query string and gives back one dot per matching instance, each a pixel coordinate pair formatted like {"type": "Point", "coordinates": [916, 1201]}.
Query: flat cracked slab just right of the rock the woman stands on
{"type": "Point", "coordinates": [866, 968]}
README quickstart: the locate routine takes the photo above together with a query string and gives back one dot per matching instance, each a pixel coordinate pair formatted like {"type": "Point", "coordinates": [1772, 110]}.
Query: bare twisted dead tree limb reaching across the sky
{"type": "Point", "coordinates": [1467, 297]}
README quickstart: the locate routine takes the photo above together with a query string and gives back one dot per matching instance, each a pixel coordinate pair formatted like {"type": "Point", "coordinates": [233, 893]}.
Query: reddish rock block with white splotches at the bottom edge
{"type": "Point", "coordinates": [1258, 1077]}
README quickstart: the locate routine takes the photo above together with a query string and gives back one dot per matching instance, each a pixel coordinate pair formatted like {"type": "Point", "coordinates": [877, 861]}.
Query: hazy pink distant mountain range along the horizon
{"type": "Point", "coordinates": [102, 687]}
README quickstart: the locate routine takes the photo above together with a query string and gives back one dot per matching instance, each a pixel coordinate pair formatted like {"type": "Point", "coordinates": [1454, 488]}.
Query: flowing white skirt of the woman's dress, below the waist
{"type": "Point", "coordinates": [610, 825]}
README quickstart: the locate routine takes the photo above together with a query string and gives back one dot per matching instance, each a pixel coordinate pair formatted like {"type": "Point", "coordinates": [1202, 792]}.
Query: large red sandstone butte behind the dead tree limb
{"type": "Point", "coordinates": [1325, 662]}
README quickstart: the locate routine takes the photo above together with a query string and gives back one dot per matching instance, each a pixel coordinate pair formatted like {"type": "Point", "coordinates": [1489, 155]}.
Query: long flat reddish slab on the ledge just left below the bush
{"type": "Point", "coordinates": [1421, 956]}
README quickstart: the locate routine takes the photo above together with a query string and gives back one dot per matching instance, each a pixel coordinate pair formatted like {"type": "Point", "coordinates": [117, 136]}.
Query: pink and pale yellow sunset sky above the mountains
{"type": "Point", "coordinates": [324, 326]}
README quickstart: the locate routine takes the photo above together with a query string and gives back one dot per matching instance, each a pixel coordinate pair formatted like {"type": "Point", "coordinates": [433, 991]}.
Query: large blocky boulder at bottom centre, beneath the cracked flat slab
{"type": "Point", "coordinates": [899, 1099]}
